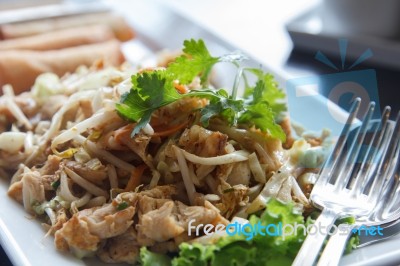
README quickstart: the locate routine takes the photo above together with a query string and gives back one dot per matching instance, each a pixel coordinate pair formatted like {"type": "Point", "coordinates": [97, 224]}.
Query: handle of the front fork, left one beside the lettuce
{"type": "Point", "coordinates": [309, 251]}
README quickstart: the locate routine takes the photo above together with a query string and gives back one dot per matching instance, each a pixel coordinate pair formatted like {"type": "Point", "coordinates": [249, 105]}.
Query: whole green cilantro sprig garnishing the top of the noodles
{"type": "Point", "coordinates": [154, 89]}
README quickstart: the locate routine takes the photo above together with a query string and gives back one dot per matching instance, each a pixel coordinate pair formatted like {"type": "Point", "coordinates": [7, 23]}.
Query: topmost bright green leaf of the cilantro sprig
{"type": "Point", "coordinates": [195, 61]}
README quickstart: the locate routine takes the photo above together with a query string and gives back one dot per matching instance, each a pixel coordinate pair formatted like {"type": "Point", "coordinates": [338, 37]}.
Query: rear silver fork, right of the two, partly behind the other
{"type": "Point", "coordinates": [385, 212]}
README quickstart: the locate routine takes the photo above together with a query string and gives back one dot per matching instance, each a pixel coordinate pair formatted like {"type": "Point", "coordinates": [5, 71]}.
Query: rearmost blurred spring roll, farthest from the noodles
{"type": "Point", "coordinates": [22, 29]}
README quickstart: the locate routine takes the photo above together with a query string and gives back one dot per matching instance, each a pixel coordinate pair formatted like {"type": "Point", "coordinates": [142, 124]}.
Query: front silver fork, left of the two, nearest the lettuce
{"type": "Point", "coordinates": [330, 192]}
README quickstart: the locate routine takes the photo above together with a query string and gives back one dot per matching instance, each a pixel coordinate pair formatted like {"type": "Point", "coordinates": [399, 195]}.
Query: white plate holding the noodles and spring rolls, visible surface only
{"type": "Point", "coordinates": [23, 237]}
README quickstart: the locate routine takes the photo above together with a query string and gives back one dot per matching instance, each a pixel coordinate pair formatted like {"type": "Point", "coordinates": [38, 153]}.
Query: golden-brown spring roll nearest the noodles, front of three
{"type": "Point", "coordinates": [21, 67]}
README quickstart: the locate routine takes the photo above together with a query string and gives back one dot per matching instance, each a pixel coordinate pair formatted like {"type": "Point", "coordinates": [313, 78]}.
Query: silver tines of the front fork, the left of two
{"type": "Point", "coordinates": [360, 149]}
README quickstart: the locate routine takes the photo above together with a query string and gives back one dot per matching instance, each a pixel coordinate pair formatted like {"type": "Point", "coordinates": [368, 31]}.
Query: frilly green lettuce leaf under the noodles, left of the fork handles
{"type": "Point", "coordinates": [260, 250]}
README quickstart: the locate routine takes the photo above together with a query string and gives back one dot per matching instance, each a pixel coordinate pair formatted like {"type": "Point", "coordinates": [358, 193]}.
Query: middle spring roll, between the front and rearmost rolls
{"type": "Point", "coordinates": [60, 38]}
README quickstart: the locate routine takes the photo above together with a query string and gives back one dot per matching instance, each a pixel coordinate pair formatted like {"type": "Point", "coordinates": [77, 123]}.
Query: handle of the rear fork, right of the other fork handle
{"type": "Point", "coordinates": [333, 250]}
